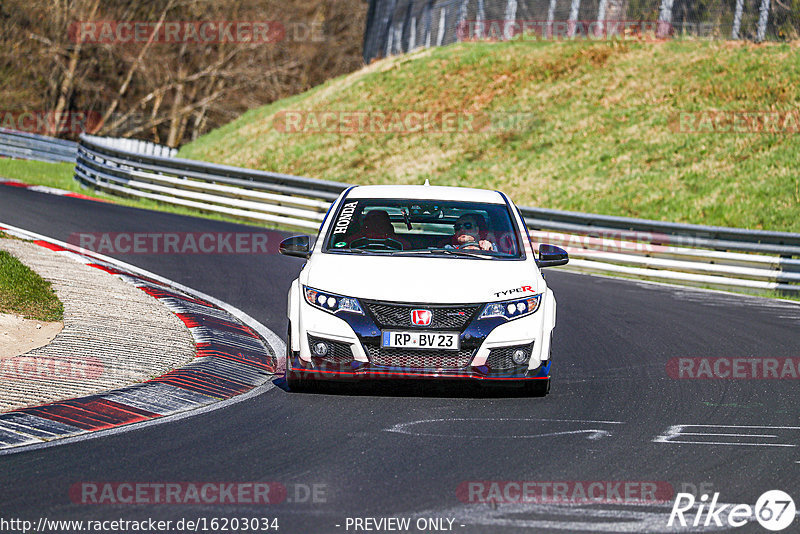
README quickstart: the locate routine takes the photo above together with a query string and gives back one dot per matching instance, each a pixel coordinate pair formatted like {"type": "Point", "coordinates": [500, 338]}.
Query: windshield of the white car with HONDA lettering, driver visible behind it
{"type": "Point", "coordinates": [416, 227]}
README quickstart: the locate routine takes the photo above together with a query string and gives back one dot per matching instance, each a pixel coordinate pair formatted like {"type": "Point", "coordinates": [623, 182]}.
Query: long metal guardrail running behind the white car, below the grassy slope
{"type": "Point", "coordinates": [727, 258]}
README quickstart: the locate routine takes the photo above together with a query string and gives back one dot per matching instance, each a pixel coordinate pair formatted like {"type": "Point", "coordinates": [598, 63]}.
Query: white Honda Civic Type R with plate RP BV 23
{"type": "Point", "coordinates": [421, 282]}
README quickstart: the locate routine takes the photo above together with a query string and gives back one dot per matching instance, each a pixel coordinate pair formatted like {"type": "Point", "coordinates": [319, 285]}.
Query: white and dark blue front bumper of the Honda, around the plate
{"type": "Point", "coordinates": [355, 352]}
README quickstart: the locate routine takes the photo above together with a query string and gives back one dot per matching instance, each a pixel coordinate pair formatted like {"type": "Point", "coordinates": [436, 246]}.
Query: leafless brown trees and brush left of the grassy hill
{"type": "Point", "coordinates": [170, 91]}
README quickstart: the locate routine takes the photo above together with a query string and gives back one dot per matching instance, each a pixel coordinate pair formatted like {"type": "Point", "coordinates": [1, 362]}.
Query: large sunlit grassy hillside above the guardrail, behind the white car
{"type": "Point", "coordinates": [603, 139]}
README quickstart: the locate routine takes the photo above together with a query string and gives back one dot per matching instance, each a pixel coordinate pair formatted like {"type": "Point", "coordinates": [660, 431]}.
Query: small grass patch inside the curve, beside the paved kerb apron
{"type": "Point", "coordinates": [23, 292]}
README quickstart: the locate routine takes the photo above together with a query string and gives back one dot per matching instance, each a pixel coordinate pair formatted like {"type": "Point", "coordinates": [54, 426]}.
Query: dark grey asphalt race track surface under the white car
{"type": "Point", "coordinates": [404, 452]}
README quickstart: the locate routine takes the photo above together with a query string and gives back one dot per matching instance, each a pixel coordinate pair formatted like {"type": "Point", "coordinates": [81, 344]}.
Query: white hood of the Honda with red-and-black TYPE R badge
{"type": "Point", "coordinates": [422, 279]}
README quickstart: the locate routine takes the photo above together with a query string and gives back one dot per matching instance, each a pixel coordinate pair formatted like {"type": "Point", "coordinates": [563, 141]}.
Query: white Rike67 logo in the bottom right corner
{"type": "Point", "coordinates": [774, 510]}
